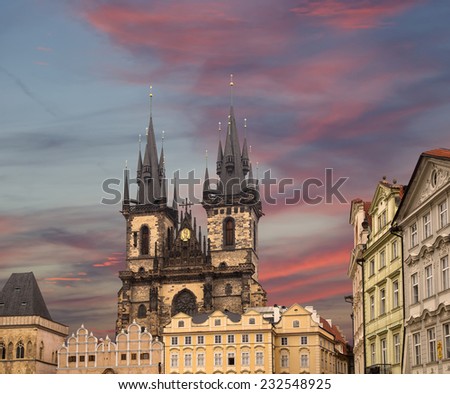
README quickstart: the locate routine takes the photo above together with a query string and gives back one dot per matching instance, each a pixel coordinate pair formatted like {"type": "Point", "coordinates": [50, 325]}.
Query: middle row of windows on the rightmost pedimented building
{"type": "Point", "coordinates": [430, 281]}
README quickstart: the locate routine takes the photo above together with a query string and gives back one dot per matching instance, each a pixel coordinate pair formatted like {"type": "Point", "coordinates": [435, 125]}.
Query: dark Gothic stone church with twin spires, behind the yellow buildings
{"type": "Point", "coordinates": [170, 266]}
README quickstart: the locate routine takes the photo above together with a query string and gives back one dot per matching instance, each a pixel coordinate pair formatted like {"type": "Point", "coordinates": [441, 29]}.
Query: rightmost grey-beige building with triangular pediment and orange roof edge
{"type": "Point", "coordinates": [423, 221]}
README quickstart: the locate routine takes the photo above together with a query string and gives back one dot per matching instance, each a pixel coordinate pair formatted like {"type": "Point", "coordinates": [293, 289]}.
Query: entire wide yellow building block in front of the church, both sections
{"type": "Point", "coordinates": [299, 341]}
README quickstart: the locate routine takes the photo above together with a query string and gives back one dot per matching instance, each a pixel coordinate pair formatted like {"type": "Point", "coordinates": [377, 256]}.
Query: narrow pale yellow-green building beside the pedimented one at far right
{"type": "Point", "coordinates": [383, 298]}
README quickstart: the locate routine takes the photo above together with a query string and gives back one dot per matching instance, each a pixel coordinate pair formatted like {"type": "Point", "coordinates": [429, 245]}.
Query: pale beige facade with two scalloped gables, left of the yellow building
{"type": "Point", "coordinates": [135, 351]}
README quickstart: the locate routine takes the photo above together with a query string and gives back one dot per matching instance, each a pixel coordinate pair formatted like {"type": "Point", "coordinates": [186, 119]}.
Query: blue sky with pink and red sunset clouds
{"type": "Point", "coordinates": [359, 87]}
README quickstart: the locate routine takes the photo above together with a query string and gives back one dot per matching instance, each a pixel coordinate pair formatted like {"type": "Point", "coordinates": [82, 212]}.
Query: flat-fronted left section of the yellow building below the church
{"type": "Point", "coordinates": [220, 342]}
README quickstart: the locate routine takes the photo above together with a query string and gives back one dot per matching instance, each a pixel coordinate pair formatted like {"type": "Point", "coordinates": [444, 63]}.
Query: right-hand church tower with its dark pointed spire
{"type": "Point", "coordinates": [233, 207]}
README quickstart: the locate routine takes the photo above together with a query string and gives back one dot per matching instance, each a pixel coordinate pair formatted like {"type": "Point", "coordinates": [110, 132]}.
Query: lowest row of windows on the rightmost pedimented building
{"type": "Point", "coordinates": [433, 351]}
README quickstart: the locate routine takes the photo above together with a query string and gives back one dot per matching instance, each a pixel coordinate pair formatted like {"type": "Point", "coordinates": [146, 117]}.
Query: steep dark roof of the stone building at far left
{"type": "Point", "coordinates": [21, 296]}
